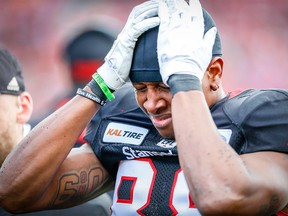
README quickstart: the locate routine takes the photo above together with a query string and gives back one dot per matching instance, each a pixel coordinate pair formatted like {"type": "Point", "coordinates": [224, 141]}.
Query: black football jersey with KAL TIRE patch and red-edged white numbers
{"type": "Point", "coordinates": [148, 176]}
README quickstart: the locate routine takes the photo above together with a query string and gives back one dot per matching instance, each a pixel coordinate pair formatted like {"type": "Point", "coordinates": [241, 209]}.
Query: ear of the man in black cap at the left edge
{"type": "Point", "coordinates": [25, 105]}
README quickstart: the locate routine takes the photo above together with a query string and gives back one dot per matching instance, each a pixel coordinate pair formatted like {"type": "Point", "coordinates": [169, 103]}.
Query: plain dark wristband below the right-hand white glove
{"type": "Point", "coordinates": [183, 82]}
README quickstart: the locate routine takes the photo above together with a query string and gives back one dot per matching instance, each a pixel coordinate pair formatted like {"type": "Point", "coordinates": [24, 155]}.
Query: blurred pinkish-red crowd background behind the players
{"type": "Point", "coordinates": [254, 37]}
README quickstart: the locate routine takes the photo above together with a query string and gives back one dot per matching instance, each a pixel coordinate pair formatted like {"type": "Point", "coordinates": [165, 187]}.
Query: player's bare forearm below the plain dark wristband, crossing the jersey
{"type": "Point", "coordinates": [210, 165]}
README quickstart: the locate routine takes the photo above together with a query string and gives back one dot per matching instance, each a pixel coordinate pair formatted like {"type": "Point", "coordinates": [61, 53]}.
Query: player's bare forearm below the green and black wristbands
{"type": "Point", "coordinates": [39, 155]}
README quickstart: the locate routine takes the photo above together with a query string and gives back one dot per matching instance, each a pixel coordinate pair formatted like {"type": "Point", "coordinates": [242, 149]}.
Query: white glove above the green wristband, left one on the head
{"type": "Point", "coordinates": [116, 68]}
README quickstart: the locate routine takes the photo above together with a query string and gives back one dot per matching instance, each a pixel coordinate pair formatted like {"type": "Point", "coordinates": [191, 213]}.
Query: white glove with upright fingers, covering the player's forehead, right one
{"type": "Point", "coordinates": [182, 46]}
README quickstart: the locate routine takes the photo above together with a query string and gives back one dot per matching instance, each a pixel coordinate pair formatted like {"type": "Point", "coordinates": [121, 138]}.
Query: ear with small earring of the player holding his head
{"type": "Point", "coordinates": [214, 72]}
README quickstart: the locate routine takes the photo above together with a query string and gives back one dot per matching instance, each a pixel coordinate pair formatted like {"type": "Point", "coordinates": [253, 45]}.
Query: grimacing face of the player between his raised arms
{"type": "Point", "coordinates": [154, 98]}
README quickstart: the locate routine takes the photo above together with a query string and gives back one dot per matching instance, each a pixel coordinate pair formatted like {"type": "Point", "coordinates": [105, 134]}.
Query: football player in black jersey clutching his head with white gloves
{"type": "Point", "coordinates": [200, 152]}
